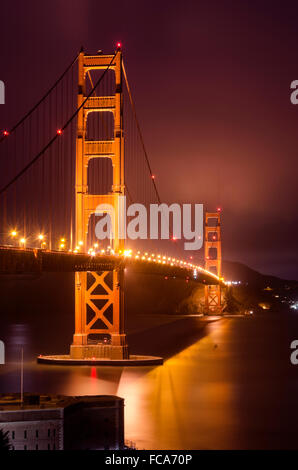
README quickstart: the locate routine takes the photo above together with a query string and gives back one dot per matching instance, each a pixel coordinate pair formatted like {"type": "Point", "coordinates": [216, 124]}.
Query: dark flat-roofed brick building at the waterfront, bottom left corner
{"type": "Point", "coordinates": [56, 422]}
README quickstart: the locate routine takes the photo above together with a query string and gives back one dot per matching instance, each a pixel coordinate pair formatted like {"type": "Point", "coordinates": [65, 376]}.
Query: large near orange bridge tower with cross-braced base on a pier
{"type": "Point", "coordinates": [99, 297]}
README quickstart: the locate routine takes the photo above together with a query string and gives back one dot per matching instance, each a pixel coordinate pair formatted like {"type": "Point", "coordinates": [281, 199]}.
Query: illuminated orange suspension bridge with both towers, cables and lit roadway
{"type": "Point", "coordinates": [79, 147]}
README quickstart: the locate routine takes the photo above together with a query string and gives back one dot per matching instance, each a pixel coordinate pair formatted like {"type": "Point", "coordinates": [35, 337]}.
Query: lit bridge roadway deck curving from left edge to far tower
{"type": "Point", "coordinates": [14, 260]}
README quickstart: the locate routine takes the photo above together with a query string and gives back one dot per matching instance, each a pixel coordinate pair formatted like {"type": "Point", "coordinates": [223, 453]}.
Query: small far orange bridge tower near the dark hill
{"type": "Point", "coordinates": [213, 303]}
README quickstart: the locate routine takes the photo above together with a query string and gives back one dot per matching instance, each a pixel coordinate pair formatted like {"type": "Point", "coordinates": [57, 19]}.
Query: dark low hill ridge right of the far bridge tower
{"type": "Point", "coordinates": [240, 272]}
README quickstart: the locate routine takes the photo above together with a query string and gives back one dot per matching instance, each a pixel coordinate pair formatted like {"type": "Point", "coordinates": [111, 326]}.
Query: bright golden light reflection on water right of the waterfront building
{"type": "Point", "coordinates": [168, 402]}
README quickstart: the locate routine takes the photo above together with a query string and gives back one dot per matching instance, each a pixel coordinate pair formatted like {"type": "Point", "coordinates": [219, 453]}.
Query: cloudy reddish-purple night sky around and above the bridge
{"type": "Point", "coordinates": [211, 82]}
